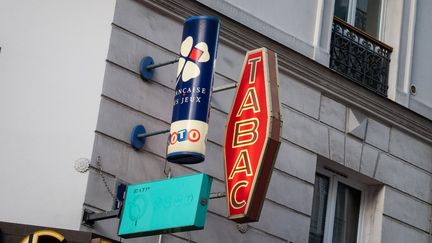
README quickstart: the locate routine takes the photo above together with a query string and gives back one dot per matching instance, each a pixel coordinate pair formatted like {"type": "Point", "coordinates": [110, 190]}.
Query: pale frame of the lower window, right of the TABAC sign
{"type": "Point", "coordinates": [334, 179]}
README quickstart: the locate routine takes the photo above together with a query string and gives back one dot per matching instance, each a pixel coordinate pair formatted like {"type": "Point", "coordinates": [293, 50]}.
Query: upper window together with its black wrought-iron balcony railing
{"type": "Point", "coordinates": [355, 51]}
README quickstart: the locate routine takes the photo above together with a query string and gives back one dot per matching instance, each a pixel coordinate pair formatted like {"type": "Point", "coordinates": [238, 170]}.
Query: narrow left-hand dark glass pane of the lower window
{"type": "Point", "coordinates": [319, 208]}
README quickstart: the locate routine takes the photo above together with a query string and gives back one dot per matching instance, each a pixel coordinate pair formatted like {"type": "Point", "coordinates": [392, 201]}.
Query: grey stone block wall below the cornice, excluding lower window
{"type": "Point", "coordinates": [320, 126]}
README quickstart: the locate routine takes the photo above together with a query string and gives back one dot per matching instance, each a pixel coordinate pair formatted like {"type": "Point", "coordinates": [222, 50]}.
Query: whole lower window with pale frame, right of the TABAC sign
{"type": "Point", "coordinates": [336, 211]}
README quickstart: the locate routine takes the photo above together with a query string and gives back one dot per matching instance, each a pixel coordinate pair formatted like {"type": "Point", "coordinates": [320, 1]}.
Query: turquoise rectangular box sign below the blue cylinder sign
{"type": "Point", "coordinates": [165, 206]}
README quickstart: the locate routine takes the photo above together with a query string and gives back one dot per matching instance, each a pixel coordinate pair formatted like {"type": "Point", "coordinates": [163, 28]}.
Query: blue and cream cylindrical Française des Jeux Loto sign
{"type": "Point", "coordinates": [189, 125]}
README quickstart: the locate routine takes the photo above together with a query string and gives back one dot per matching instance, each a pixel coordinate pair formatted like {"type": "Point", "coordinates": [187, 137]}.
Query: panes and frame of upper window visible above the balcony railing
{"type": "Point", "coordinates": [363, 14]}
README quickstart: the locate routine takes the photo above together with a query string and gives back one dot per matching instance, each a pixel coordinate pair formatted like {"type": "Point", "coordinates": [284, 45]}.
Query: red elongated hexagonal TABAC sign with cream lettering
{"type": "Point", "coordinates": [252, 136]}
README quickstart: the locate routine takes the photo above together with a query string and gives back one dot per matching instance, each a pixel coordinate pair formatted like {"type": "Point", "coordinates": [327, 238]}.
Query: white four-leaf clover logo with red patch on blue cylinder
{"type": "Point", "coordinates": [187, 68]}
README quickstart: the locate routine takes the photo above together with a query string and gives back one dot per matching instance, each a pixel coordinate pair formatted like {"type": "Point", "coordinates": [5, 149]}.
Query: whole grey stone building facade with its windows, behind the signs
{"type": "Point", "coordinates": [355, 160]}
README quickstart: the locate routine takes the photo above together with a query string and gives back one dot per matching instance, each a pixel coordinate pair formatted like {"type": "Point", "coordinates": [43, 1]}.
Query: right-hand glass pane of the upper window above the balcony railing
{"type": "Point", "coordinates": [368, 16]}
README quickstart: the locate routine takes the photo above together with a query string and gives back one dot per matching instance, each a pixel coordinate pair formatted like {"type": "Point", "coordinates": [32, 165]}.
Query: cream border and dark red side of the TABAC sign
{"type": "Point", "coordinates": [272, 142]}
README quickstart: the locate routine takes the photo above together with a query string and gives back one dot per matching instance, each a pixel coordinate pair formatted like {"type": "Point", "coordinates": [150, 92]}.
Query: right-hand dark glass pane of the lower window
{"type": "Point", "coordinates": [346, 215]}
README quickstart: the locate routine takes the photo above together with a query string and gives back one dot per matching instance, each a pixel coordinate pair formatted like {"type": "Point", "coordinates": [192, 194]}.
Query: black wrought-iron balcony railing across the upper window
{"type": "Point", "coordinates": [359, 57]}
